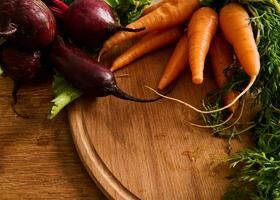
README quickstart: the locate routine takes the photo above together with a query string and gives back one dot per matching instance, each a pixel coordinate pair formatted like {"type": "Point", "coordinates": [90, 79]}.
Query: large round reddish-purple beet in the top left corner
{"type": "Point", "coordinates": [28, 23]}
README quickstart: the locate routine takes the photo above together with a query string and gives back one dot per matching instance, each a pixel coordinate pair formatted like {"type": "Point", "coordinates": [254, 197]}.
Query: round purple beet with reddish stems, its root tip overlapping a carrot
{"type": "Point", "coordinates": [88, 22]}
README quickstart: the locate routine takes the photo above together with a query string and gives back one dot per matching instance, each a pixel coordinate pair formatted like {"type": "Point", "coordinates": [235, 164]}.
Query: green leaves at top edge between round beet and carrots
{"type": "Point", "coordinates": [128, 10]}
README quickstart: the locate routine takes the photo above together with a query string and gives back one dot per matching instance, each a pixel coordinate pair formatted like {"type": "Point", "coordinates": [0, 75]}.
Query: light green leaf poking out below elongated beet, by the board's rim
{"type": "Point", "coordinates": [64, 92]}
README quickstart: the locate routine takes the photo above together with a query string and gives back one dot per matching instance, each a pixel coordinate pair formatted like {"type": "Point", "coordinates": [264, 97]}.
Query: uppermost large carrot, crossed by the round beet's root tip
{"type": "Point", "coordinates": [169, 14]}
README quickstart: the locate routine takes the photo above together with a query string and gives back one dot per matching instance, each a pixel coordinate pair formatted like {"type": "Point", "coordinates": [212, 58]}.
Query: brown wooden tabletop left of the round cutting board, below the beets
{"type": "Point", "coordinates": [38, 159]}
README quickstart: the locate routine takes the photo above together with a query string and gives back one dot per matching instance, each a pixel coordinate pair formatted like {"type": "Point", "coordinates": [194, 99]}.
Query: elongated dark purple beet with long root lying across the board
{"type": "Point", "coordinates": [85, 73]}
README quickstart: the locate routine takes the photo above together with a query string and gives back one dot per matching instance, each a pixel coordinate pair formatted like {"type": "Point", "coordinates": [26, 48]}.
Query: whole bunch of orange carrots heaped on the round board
{"type": "Point", "coordinates": [222, 35]}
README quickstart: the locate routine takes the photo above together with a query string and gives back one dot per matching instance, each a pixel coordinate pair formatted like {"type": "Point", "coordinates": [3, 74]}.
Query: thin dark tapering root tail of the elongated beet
{"type": "Point", "coordinates": [117, 92]}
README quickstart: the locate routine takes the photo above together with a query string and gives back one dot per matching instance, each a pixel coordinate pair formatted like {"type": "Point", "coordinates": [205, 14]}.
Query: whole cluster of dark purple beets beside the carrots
{"type": "Point", "coordinates": [39, 34]}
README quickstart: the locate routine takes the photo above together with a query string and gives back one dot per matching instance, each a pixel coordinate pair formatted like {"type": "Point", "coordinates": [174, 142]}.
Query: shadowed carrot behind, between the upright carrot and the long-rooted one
{"type": "Point", "coordinates": [221, 54]}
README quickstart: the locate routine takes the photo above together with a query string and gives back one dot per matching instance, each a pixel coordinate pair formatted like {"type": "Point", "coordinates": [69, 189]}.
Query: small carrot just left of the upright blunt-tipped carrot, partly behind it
{"type": "Point", "coordinates": [176, 63]}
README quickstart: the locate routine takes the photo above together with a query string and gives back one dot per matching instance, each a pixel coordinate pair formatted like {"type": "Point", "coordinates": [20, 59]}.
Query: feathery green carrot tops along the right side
{"type": "Point", "coordinates": [257, 170]}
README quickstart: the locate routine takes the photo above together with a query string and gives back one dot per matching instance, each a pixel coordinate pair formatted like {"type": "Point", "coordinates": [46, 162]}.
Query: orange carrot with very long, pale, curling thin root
{"type": "Point", "coordinates": [235, 24]}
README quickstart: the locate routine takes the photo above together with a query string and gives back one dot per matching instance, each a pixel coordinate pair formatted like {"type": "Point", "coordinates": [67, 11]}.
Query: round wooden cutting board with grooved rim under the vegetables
{"type": "Point", "coordinates": [149, 151]}
